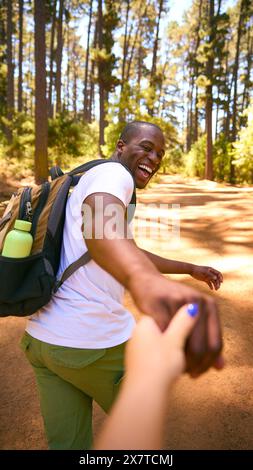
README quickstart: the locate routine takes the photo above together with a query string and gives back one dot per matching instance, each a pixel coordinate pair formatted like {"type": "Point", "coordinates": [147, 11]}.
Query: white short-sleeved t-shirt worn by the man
{"type": "Point", "coordinates": [87, 311]}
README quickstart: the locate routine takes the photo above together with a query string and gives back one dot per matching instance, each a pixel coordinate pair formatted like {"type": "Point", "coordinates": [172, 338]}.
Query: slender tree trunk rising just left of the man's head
{"type": "Point", "coordinates": [100, 79]}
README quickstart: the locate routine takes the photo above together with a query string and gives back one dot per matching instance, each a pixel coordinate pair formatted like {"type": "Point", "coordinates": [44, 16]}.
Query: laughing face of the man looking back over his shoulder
{"type": "Point", "coordinates": [143, 154]}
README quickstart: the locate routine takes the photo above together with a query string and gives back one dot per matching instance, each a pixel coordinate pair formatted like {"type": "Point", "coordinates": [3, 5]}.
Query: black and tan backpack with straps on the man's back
{"type": "Point", "coordinates": [27, 284]}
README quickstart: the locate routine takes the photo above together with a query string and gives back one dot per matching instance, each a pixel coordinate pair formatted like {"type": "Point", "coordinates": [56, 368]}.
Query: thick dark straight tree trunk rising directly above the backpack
{"type": "Point", "coordinates": [41, 129]}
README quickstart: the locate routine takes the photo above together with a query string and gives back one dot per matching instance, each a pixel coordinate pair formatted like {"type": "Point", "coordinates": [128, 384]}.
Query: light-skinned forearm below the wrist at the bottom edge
{"type": "Point", "coordinates": [136, 420]}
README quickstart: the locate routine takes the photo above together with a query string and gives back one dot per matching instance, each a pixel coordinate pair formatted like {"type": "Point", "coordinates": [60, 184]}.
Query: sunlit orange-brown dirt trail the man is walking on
{"type": "Point", "coordinates": [215, 411]}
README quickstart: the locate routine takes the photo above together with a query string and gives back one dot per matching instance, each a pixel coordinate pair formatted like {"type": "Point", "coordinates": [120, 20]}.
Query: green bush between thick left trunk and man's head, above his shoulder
{"type": "Point", "coordinates": [69, 139]}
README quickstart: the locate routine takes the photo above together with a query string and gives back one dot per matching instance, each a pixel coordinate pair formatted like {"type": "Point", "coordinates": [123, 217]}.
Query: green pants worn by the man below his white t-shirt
{"type": "Point", "coordinates": [68, 380]}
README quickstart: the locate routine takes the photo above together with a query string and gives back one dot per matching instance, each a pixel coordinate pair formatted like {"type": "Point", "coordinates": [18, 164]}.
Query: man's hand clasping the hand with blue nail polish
{"type": "Point", "coordinates": [160, 298]}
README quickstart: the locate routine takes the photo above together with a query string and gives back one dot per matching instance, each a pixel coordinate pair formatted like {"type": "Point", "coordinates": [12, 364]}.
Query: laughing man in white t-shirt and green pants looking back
{"type": "Point", "coordinates": [76, 343]}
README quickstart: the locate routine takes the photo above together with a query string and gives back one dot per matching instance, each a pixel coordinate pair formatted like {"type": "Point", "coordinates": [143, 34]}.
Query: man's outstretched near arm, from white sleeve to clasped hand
{"type": "Point", "coordinates": [153, 294]}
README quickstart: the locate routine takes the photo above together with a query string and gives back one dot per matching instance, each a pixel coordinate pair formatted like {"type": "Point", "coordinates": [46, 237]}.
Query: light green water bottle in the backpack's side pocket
{"type": "Point", "coordinates": [18, 242]}
